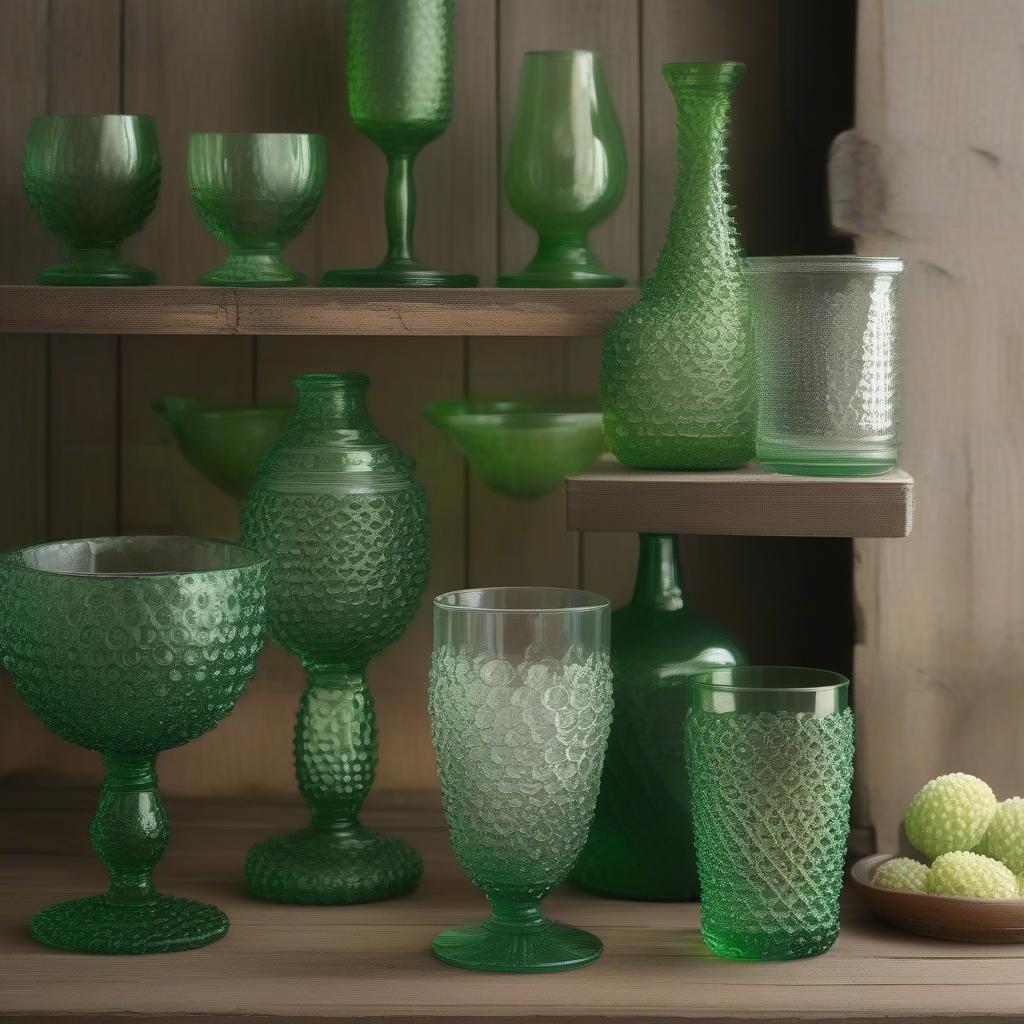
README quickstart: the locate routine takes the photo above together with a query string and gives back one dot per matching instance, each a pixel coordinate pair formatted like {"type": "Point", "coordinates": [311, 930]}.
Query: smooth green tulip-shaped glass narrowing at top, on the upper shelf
{"type": "Point", "coordinates": [566, 169]}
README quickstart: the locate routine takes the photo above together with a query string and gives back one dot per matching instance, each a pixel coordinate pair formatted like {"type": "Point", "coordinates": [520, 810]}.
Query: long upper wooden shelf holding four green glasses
{"type": "Point", "coordinates": [173, 310]}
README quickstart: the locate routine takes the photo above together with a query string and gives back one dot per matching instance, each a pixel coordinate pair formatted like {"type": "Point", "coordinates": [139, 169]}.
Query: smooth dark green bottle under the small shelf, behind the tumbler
{"type": "Point", "coordinates": [642, 842]}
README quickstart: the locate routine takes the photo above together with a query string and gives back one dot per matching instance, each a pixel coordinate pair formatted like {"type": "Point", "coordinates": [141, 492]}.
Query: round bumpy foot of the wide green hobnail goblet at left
{"type": "Point", "coordinates": [95, 925]}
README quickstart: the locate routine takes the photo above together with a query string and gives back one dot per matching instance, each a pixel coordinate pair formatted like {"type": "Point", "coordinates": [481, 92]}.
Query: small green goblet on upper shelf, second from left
{"type": "Point", "coordinates": [255, 193]}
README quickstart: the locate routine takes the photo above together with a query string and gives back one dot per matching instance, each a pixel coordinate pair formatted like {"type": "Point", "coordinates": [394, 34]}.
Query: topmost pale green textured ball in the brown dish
{"type": "Point", "coordinates": [950, 814]}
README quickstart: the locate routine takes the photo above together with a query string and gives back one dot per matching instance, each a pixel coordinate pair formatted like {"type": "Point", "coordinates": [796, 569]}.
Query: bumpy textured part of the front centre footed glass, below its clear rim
{"type": "Point", "coordinates": [520, 753]}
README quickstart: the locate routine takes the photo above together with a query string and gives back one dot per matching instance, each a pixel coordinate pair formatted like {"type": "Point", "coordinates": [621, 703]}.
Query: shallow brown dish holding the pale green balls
{"type": "Point", "coordinates": [959, 919]}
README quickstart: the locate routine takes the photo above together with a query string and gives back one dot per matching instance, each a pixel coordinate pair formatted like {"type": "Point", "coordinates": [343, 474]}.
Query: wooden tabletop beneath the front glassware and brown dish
{"type": "Point", "coordinates": [373, 961]}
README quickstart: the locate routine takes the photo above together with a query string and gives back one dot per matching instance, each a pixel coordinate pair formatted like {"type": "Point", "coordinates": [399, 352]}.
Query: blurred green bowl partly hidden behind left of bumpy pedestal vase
{"type": "Point", "coordinates": [225, 442]}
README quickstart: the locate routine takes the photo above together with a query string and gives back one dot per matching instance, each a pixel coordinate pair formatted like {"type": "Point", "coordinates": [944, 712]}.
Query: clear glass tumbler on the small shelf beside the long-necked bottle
{"type": "Point", "coordinates": [826, 332]}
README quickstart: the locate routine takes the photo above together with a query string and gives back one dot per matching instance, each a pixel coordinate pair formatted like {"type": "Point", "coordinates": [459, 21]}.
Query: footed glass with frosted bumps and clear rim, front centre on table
{"type": "Point", "coordinates": [521, 706]}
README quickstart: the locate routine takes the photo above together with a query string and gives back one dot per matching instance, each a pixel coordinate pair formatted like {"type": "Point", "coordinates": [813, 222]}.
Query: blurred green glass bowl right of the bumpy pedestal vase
{"type": "Point", "coordinates": [523, 448]}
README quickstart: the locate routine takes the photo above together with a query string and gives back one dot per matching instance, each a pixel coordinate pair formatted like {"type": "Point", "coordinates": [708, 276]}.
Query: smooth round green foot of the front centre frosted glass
{"type": "Point", "coordinates": [527, 950]}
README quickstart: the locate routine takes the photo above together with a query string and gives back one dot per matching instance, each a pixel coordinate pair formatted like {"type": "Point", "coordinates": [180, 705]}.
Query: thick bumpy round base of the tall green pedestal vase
{"type": "Point", "coordinates": [318, 866]}
